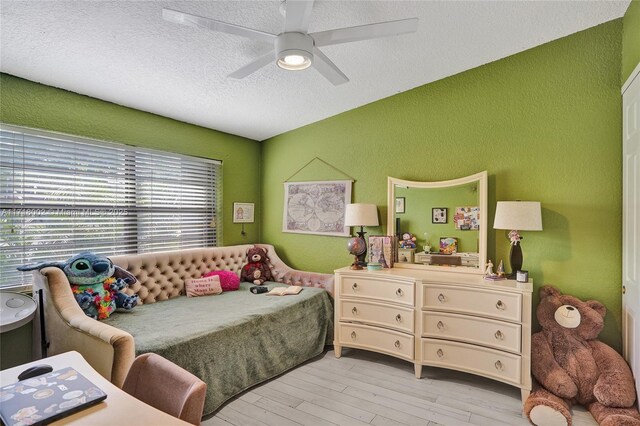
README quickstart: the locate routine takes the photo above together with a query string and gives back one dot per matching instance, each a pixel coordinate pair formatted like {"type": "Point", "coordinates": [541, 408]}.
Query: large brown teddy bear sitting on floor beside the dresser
{"type": "Point", "coordinates": [571, 366]}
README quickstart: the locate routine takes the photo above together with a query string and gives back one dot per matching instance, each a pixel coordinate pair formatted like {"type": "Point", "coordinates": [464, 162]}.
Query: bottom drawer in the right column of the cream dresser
{"type": "Point", "coordinates": [486, 362]}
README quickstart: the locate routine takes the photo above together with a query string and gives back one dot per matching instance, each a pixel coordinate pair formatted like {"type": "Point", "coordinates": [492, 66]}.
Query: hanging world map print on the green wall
{"type": "Point", "coordinates": [316, 207]}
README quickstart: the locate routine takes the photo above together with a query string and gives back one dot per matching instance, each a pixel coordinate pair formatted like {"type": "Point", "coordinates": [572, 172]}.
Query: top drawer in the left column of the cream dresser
{"type": "Point", "coordinates": [378, 289]}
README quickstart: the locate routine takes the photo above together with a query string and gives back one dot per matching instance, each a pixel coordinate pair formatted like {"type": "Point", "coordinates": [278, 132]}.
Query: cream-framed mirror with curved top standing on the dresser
{"type": "Point", "coordinates": [447, 218]}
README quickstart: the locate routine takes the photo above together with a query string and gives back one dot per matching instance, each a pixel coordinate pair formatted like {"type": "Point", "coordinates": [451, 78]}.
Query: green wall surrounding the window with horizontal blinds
{"type": "Point", "coordinates": [25, 103]}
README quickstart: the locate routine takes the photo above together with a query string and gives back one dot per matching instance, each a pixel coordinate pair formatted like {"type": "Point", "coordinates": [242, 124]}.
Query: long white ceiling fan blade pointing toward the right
{"type": "Point", "coordinates": [365, 32]}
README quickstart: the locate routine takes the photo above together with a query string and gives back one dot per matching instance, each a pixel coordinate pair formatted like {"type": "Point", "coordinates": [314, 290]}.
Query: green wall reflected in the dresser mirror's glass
{"type": "Point", "coordinates": [417, 216]}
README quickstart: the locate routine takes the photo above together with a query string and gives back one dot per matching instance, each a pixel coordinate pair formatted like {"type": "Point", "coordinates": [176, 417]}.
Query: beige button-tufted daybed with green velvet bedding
{"type": "Point", "coordinates": [232, 341]}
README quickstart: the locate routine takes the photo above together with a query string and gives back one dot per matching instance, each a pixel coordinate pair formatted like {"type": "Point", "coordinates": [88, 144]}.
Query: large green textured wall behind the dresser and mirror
{"type": "Point", "coordinates": [544, 123]}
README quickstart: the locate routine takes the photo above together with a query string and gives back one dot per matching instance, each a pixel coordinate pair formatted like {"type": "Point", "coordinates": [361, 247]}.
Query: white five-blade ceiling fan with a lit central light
{"type": "Point", "coordinates": [295, 48]}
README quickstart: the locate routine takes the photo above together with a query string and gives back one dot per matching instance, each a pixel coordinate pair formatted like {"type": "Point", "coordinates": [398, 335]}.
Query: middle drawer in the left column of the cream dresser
{"type": "Point", "coordinates": [373, 313]}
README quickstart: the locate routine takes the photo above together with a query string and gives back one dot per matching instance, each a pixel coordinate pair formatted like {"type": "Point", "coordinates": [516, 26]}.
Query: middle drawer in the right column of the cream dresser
{"type": "Point", "coordinates": [497, 334]}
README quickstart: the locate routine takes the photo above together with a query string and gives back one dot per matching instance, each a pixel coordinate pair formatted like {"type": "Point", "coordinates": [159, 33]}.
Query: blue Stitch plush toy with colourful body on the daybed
{"type": "Point", "coordinates": [96, 283]}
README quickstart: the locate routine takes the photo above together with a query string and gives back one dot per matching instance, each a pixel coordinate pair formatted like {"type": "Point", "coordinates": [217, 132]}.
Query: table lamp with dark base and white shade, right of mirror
{"type": "Point", "coordinates": [517, 216]}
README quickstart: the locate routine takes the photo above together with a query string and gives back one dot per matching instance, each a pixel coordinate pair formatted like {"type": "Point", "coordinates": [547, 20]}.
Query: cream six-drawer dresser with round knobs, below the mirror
{"type": "Point", "coordinates": [443, 319]}
